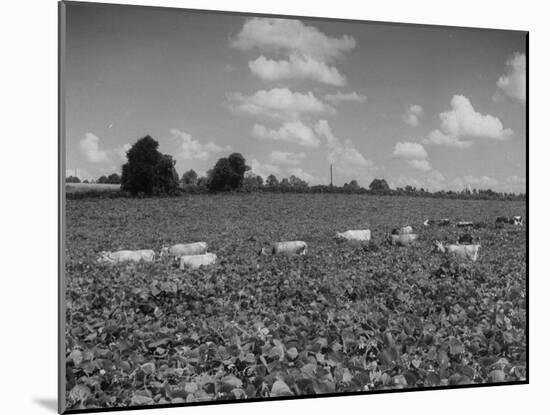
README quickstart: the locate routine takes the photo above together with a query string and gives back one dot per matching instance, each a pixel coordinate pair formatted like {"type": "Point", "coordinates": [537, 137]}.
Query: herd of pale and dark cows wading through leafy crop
{"type": "Point", "coordinates": [195, 255]}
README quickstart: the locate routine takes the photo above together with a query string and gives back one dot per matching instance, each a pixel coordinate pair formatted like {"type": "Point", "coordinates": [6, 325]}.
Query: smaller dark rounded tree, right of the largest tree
{"type": "Point", "coordinates": [228, 173]}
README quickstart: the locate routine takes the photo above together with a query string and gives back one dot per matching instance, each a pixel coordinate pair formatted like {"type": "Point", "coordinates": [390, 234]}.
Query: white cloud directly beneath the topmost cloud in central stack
{"type": "Point", "coordinates": [296, 67]}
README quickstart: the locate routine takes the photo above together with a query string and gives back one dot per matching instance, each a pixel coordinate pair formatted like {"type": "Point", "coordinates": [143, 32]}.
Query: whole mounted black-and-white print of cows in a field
{"type": "Point", "coordinates": [256, 207]}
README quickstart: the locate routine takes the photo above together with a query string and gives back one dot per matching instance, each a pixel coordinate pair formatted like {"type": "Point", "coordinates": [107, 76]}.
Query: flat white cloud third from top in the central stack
{"type": "Point", "coordinates": [279, 103]}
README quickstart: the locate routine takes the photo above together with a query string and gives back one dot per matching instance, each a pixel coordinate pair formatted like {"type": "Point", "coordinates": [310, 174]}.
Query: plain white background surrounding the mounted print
{"type": "Point", "coordinates": [28, 101]}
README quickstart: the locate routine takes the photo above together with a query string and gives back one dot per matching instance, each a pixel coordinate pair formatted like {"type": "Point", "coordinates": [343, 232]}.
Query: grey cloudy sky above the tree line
{"type": "Point", "coordinates": [432, 107]}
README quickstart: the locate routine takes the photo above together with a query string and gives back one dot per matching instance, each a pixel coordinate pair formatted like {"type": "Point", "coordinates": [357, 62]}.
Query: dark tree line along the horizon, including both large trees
{"type": "Point", "coordinates": [148, 172]}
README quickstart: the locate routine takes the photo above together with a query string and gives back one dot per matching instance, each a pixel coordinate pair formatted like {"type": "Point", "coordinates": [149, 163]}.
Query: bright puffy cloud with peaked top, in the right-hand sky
{"type": "Point", "coordinates": [462, 121]}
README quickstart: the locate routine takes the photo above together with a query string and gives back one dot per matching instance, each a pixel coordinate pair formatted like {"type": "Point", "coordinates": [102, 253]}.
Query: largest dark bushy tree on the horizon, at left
{"type": "Point", "coordinates": [148, 171]}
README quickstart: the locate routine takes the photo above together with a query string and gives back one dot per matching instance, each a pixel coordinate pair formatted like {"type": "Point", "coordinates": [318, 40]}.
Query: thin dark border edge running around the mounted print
{"type": "Point", "coordinates": [62, 204]}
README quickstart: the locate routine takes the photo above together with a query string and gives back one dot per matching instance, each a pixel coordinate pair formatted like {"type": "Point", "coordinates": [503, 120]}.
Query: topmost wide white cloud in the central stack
{"type": "Point", "coordinates": [291, 36]}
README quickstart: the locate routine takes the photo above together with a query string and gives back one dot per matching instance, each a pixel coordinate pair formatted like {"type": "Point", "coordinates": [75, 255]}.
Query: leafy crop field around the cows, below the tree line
{"type": "Point", "coordinates": [344, 318]}
